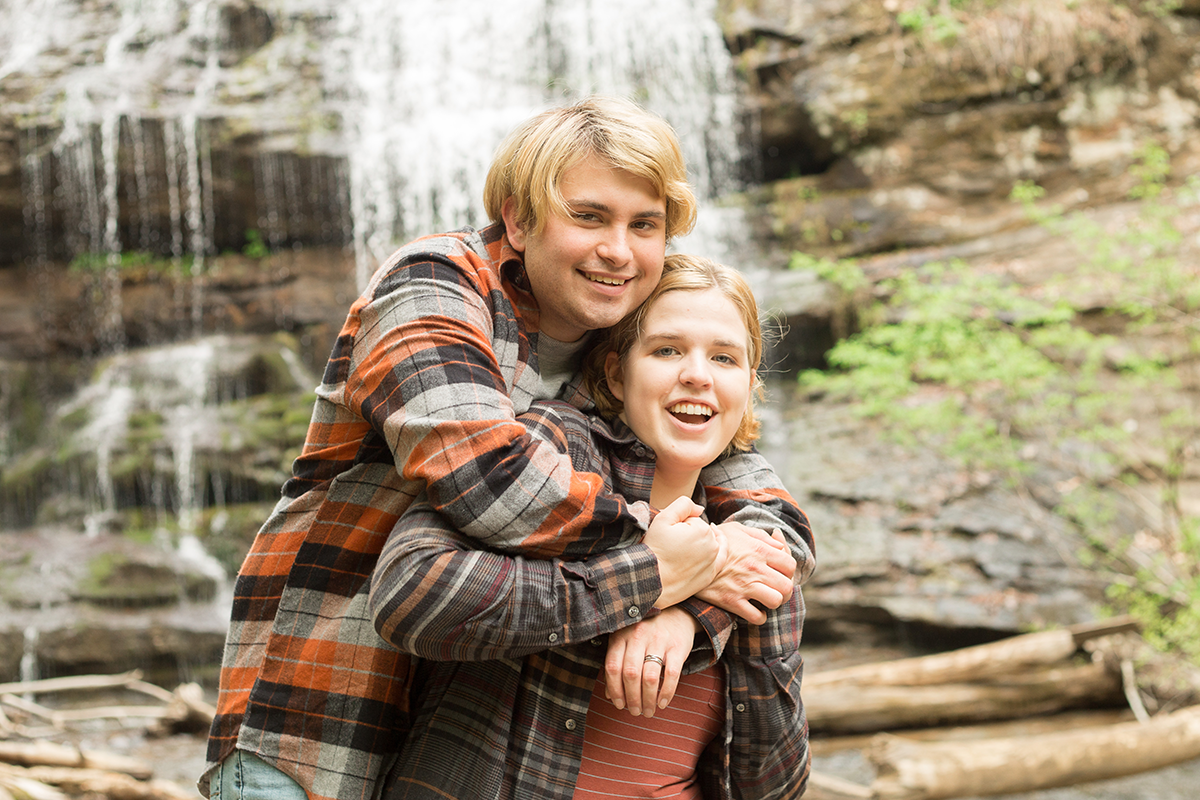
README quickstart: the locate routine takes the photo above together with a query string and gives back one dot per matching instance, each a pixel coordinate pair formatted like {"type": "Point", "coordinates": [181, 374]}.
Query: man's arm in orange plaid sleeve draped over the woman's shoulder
{"type": "Point", "coordinates": [429, 362]}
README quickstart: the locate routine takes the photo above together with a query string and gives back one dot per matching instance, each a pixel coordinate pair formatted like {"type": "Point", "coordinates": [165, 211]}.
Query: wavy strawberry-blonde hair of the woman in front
{"type": "Point", "coordinates": [682, 273]}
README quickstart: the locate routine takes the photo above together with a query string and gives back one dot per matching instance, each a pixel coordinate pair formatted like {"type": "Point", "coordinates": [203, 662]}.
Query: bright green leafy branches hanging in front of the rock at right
{"type": "Point", "coordinates": [980, 366]}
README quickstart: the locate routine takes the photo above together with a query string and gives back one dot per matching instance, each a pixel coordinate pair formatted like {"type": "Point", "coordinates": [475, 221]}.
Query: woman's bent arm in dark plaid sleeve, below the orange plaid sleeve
{"type": "Point", "coordinates": [437, 596]}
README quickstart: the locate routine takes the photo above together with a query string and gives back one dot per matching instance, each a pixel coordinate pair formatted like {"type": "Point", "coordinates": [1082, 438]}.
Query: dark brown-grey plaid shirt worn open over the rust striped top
{"type": "Point", "coordinates": [513, 652]}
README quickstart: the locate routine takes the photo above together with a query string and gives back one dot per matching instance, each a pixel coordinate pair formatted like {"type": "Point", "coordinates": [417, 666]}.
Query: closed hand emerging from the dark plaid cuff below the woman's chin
{"type": "Point", "coordinates": [691, 552]}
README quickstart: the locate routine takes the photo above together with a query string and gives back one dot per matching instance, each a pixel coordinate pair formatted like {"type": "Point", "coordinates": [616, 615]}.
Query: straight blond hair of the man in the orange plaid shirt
{"type": "Point", "coordinates": [530, 164]}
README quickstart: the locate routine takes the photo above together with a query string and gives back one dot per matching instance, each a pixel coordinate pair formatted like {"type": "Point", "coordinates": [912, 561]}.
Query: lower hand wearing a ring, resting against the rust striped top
{"type": "Point", "coordinates": [641, 684]}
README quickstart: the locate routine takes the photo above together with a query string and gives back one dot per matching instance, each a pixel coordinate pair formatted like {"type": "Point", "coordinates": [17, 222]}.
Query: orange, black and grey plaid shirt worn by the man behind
{"type": "Point", "coordinates": [421, 394]}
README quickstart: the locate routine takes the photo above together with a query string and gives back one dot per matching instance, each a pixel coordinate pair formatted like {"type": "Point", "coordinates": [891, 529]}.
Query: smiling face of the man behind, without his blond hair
{"type": "Point", "coordinates": [595, 266]}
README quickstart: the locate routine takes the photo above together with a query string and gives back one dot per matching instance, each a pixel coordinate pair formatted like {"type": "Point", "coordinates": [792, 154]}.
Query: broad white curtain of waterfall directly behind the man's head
{"type": "Point", "coordinates": [429, 101]}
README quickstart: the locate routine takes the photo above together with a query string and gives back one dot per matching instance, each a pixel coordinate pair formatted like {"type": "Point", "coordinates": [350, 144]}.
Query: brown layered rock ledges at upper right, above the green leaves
{"type": "Point", "coordinates": [875, 137]}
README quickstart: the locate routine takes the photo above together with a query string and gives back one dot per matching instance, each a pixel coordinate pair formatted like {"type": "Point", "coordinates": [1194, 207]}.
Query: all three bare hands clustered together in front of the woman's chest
{"type": "Point", "coordinates": [733, 567]}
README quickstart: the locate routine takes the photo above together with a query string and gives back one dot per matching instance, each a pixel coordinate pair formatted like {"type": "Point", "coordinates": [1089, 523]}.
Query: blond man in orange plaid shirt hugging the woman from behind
{"type": "Point", "coordinates": [457, 335]}
